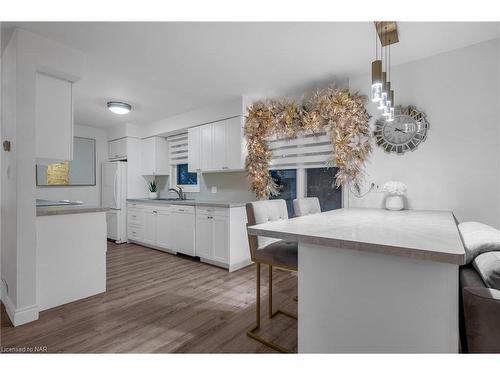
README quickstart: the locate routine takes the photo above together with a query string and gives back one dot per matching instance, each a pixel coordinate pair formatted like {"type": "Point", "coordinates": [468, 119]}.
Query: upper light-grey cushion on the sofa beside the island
{"type": "Point", "coordinates": [478, 238]}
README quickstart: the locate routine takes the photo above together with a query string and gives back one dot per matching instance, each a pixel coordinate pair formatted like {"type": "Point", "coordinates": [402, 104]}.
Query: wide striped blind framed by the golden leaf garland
{"type": "Point", "coordinates": [305, 151]}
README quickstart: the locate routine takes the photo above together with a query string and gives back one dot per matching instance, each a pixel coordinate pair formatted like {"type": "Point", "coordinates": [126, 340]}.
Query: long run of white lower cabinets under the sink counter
{"type": "Point", "coordinates": [216, 235]}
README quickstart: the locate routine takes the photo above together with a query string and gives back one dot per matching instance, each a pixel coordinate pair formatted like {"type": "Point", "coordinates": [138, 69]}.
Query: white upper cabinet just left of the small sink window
{"type": "Point", "coordinates": [155, 160]}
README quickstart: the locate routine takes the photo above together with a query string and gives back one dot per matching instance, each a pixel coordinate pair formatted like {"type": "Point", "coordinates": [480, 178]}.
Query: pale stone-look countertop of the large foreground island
{"type": "Point", "coordinates": [426, 235]}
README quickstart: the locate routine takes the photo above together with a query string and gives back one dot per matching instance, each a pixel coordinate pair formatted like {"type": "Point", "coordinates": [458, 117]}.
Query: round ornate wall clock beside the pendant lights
{"type": "Point", "coordinates": [405, 133]}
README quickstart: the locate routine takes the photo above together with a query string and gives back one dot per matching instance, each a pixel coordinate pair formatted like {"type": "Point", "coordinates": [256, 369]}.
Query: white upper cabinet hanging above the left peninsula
{"type": "Point", "coordinates": [53, 119]}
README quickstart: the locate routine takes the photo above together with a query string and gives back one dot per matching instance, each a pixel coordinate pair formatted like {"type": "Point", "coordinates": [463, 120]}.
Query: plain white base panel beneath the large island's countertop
{"type": "Point", "coordinates": [360, 302]}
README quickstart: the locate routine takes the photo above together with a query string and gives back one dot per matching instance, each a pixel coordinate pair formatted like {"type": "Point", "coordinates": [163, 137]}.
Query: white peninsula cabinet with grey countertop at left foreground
{"type": "Point", "coordinates": [71, 253]}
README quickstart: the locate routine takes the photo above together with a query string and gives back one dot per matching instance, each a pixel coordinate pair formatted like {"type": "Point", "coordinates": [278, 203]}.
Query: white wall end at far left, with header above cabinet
{"type": "Point", "coordinates": [25, 54]}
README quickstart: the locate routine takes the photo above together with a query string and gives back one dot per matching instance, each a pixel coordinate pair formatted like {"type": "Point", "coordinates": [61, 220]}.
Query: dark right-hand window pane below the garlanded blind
{"type": "Point", "coordinates": [320, 183]}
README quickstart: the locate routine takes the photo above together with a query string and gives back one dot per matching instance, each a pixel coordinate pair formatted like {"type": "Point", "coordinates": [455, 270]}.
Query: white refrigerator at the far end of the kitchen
{"type": "Point", "coordinates": [114, 197]}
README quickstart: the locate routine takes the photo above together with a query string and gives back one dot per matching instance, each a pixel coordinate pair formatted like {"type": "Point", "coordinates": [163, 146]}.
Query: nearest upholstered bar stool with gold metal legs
{"type": "Point", "coordinates": [272, 252]}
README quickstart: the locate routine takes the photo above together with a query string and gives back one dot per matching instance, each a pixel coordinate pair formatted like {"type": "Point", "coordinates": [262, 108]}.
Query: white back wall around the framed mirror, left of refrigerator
{"type": "Point", "coordinates": [87, 194]}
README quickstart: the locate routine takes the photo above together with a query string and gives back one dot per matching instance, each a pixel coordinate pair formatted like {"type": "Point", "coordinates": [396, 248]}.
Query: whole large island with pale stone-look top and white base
{"type": "Point", "coordinates": [375, 281]}
